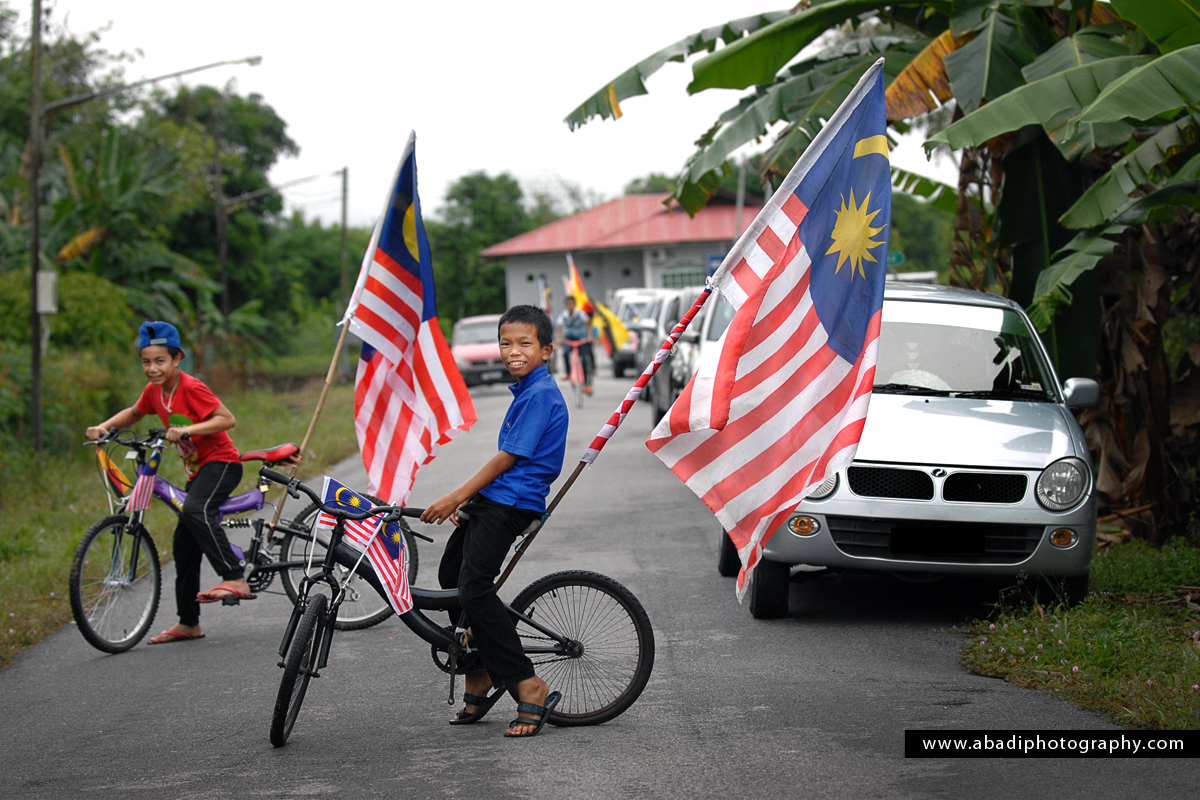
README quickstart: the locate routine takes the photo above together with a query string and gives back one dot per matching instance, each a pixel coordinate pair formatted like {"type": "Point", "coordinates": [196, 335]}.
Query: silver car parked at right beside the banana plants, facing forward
{"type": "Point", "coordinates": [971, 461]}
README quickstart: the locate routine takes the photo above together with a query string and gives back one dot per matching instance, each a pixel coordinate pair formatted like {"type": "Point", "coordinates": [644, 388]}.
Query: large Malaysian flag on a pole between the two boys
{"type": "Point", "coordinates": [410, 396]}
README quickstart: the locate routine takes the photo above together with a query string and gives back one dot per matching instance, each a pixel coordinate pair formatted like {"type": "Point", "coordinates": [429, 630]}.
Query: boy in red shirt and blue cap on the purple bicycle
{"type": "Point", "coordinates": [196, 423]}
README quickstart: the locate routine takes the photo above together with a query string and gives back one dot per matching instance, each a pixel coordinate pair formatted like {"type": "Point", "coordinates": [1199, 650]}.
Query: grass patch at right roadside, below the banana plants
{"type": "Point", "coordinates": [1132, 651]}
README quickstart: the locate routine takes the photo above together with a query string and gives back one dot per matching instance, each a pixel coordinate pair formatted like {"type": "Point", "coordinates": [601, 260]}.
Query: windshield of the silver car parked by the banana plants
{"type": "Point", "coordinates": [931, 348]}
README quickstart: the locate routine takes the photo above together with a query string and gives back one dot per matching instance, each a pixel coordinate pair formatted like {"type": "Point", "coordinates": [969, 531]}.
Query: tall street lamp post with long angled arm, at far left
{"type": "Point", "coordinates": [40, 119]}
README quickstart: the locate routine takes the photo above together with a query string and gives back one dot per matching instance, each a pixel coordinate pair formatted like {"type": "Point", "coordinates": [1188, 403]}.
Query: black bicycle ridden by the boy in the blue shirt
{"type": "Point", "coordinates": [587, 635]}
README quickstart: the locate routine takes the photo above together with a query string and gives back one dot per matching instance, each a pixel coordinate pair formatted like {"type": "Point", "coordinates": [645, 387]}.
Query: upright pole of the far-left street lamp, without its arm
{"type": "Point", "coordinates": [35, 202]}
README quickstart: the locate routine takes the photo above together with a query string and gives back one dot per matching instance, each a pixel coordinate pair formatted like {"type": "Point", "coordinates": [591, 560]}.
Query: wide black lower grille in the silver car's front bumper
{"type": "Point", "coordinates": [931, 542]}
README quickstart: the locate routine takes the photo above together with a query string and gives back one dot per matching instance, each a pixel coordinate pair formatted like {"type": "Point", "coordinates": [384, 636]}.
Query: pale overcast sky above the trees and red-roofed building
{"type": "Point", "coordinates": [484, 85]}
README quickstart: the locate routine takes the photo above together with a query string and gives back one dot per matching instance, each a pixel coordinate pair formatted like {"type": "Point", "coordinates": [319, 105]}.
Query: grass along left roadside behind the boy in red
{"type": "Point", "coordinates": [47, 504]}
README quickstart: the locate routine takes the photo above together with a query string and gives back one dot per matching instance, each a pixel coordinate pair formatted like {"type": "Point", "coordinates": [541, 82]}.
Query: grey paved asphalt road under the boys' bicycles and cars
{"type": "Point", "coordinates": [812, 706]}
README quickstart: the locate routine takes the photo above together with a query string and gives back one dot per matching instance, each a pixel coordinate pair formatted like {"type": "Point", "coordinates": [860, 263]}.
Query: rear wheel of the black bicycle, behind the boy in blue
{"type": "Point", "coordinates": [610, 652]}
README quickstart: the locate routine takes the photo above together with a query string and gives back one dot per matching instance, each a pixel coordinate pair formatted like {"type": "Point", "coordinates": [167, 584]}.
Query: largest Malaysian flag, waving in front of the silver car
{"type": "Point", "coordinates": [781, 402]}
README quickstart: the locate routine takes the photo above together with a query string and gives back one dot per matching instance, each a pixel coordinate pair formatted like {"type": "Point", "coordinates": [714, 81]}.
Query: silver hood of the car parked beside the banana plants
{"type": "Point", "coordinates": [917, 430]}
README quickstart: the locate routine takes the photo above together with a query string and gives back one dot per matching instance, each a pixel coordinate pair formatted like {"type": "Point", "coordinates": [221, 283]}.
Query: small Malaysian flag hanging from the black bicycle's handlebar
{"type": "Point", "coordinates": [386, 550]}
